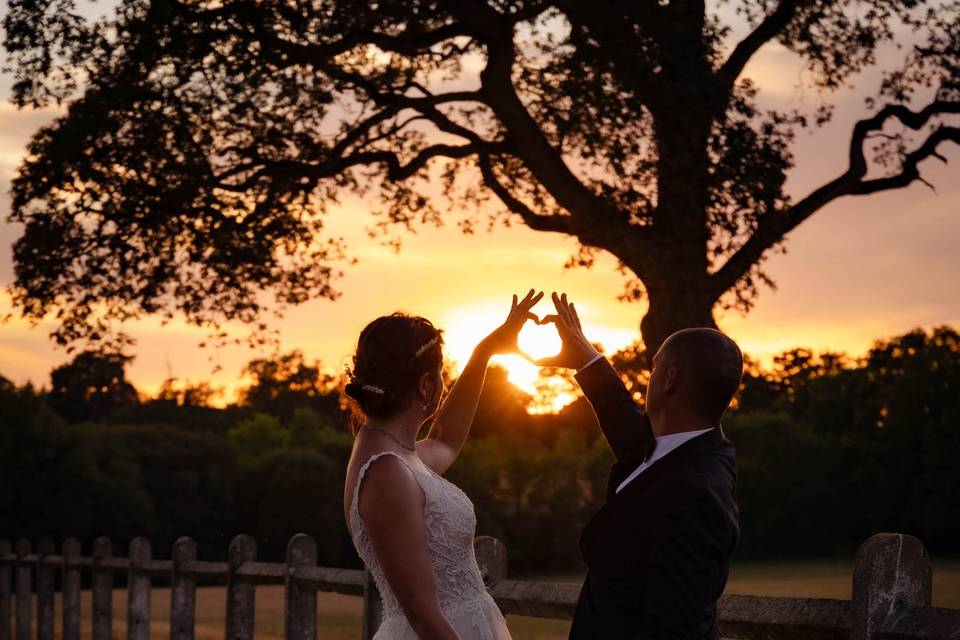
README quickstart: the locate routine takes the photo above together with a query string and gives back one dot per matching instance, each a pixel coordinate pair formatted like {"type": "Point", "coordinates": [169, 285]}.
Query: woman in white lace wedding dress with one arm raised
{"type": "Point", "coordinates": [412, 528]}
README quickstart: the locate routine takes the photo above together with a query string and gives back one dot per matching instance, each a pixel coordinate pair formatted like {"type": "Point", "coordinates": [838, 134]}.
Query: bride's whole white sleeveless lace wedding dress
{"type": "Point", "coordinates": [451, 526]}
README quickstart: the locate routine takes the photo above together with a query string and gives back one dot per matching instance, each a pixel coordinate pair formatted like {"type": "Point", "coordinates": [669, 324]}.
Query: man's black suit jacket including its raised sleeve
{"type": "Point", "coordinates": [658, 551]}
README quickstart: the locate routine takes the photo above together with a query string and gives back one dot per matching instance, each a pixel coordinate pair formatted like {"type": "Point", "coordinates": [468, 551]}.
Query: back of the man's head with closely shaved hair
{"type": "Point", "coordinates": [709, 365]}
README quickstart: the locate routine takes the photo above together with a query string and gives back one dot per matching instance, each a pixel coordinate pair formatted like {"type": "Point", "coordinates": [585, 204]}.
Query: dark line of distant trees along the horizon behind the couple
{"type": "Point", "coordinates": [830, 450]}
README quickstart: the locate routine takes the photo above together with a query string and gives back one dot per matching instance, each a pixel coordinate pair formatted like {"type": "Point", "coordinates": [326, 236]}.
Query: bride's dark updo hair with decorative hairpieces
{"type": "Point", "coordinates": [392, 353]}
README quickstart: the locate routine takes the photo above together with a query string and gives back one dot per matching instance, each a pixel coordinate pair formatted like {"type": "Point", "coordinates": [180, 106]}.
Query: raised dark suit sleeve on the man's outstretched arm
{"type": "Point", "coordinates": [625, 426]}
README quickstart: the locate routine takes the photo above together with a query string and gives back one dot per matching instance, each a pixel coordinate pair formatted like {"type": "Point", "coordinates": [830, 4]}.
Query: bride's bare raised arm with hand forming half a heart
{"type": "Point", "coordinates": [452, 423]}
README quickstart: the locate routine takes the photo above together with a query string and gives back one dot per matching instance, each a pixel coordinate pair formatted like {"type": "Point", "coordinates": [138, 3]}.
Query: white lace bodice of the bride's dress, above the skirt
{"type": "Point", "coordinates": [451, 526]}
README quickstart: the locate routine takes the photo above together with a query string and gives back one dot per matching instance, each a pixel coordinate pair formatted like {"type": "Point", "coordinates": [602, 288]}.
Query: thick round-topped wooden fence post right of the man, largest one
{"type": "Point", "coordinates": [891, 575]}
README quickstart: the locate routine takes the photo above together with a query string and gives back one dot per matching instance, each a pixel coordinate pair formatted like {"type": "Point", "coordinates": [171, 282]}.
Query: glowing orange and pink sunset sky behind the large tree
{"type": "Point", "coordinates": [861, 269]}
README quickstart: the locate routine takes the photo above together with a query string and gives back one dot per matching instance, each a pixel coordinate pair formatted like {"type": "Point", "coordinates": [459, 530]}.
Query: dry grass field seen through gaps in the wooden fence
{"type": "Point", "coordinates": [340, 615]}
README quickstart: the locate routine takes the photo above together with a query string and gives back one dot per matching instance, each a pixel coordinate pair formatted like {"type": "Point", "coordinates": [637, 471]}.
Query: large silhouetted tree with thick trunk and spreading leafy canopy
{"type": "Point", "coordinates": [203, 142]}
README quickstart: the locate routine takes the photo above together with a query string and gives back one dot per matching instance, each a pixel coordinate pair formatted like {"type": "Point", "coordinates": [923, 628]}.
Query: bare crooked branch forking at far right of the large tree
{"type": "Point", "coordinates": [773, 227]}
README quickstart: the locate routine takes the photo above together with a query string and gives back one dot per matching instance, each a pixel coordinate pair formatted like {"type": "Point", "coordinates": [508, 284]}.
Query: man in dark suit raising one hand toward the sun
{"type": "Point", "coordinates": [658, 550]}
